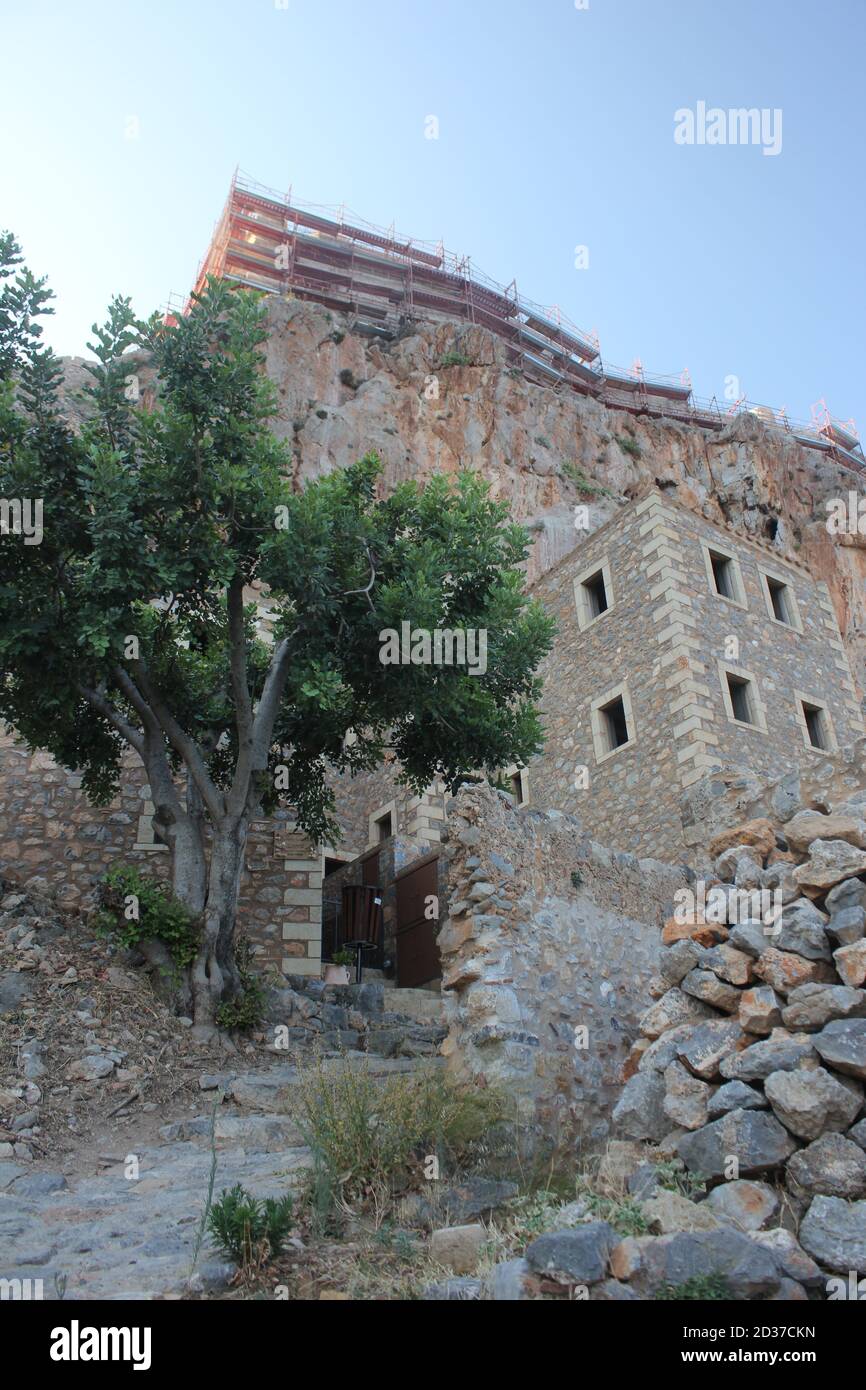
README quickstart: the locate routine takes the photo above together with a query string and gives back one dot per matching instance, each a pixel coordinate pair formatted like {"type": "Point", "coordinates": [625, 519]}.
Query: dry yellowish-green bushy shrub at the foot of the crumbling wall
{"type": "Point", "coordinates": [372, 1136]}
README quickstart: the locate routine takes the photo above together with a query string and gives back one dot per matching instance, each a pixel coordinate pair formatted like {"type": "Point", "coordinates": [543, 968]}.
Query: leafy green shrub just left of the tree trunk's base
{"type": "Point", "coordinates": [134, 908]}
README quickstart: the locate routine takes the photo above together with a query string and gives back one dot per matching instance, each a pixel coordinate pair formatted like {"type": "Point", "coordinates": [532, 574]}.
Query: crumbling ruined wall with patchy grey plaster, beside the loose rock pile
{"type": "Point", "coordinates": [548, 933]}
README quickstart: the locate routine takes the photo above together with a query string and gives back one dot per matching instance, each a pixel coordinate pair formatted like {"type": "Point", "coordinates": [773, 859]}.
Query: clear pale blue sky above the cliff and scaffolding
{"type": "Point", "coordinates": [557, 130]}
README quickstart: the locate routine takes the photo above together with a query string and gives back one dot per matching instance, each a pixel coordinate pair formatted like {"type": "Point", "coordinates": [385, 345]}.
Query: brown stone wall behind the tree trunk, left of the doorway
{"type": "Point", "coordinates": [52, 836]}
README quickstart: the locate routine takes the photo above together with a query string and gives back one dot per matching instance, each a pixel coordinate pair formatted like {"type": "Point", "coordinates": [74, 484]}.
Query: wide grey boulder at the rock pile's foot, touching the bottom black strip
{"type": "Point", "coordinates": [750, 1270]}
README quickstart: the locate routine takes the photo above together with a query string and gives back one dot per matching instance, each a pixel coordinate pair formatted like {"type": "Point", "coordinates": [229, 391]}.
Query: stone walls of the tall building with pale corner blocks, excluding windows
{"type": "Point", "coordinates": [664, 646]}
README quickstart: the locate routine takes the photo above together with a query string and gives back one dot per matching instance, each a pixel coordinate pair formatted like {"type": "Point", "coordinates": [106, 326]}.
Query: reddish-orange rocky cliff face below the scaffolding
{"type": "Point", "coordinates": [441, 397]}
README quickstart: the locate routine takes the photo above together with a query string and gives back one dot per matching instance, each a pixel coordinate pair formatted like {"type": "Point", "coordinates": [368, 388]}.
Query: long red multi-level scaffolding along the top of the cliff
{"type": "Point", "coordinates": [275, 243]}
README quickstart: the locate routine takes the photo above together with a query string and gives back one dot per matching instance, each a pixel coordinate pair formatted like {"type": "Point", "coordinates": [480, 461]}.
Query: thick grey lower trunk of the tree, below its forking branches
{"type": "Point", "coordinates": [215, 974]}
